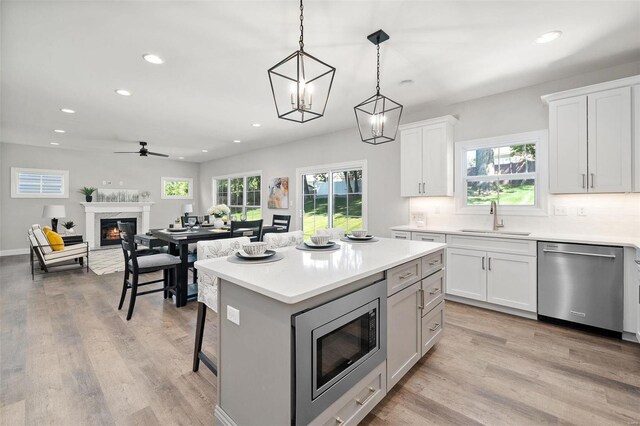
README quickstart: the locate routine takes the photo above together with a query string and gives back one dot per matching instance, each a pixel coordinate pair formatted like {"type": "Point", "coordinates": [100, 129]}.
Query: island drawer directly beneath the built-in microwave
{"type": "Point", "coordinates": [357, 402]}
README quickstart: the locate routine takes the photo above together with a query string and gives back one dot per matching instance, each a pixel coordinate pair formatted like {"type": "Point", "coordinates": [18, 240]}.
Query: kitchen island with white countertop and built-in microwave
{"type": "Point", "coordinates": [304, 339]}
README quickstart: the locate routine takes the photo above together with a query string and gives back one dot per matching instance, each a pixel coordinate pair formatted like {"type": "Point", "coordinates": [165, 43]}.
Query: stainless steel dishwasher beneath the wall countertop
{"type": "Point", "coordinates": [581, 283]}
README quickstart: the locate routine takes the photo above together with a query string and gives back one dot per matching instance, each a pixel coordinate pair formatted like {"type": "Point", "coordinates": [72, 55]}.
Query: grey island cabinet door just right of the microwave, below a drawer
{"type": "Point", "coordinates": [403, 333]}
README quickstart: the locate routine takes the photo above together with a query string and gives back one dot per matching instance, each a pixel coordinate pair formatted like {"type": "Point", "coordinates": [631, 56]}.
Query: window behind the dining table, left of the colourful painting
{"type": "Point", "coordinates": [241, 193]}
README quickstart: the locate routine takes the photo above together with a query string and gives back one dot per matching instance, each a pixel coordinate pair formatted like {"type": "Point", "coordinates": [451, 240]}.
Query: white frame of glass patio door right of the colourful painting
{"type": "Point", "coordinates": [332, 168]}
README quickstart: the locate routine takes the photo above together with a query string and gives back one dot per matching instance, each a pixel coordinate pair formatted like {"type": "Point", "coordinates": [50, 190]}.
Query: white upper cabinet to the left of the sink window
{"type": "Point", "coordinates": [426, 158]}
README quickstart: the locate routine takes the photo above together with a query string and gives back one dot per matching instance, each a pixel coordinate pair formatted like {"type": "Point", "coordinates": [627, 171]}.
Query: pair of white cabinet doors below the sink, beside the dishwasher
{"type": "Point", "coordinates": [502, 279]}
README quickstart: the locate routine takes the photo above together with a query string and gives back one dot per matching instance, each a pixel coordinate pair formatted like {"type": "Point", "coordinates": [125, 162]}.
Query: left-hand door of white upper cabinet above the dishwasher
{"type": "Point", "coordinates": [568, 145]}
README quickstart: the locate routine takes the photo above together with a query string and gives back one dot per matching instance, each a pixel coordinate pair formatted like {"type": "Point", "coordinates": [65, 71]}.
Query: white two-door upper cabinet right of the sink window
{"type": "Point", "coordinates": [590, 139]}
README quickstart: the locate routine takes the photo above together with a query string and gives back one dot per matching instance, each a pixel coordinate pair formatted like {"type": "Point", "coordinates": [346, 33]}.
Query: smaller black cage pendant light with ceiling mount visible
{"type": "Point", "coordinates": [378, 117]}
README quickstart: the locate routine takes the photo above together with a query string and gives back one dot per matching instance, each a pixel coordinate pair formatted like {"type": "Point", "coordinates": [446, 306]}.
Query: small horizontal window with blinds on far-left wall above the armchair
{"type": "Point", "coordinates": [39, 183]}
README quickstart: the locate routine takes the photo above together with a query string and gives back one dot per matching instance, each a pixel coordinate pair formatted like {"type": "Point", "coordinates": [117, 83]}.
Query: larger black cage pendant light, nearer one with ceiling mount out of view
{"type": "Point", "coordinates": [301, 83]}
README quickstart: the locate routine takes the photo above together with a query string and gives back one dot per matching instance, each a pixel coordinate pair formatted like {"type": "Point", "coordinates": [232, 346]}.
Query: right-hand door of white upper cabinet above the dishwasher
{"type": "Point", "coordinates": [610, 140]}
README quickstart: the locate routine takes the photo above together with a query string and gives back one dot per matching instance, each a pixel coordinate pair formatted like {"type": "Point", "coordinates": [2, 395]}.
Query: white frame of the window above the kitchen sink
{"type": "Point", "coordinates": [539, 138]}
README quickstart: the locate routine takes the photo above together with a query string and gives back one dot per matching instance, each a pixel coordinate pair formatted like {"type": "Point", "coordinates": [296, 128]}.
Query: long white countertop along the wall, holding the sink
{"type": "Point", "coordinates": [535, 236]}
